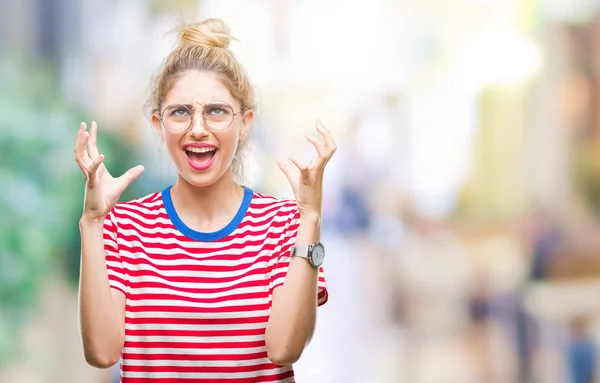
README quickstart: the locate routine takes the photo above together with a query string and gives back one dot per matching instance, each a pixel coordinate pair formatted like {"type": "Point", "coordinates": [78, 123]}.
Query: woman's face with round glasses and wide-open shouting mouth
{"type": "Point", "coordinates": [202, 154]}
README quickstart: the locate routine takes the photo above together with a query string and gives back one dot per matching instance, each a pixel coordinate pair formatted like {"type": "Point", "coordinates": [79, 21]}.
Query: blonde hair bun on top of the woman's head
{"type": "Point", "coordinates": [212, 33]}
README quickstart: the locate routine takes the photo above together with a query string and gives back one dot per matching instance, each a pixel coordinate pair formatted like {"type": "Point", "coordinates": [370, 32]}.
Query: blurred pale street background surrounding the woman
{"type": "Point", "coordinates": [461, 209]}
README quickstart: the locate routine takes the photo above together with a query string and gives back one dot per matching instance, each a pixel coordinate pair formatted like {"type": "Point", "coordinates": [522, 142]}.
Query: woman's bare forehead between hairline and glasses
{"type": "Point", "coordinates": [196, 86]}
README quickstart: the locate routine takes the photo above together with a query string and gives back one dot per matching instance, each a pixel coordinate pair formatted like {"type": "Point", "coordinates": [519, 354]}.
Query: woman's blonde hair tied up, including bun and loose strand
{"type": "Point", "coordinates": [204, 46]}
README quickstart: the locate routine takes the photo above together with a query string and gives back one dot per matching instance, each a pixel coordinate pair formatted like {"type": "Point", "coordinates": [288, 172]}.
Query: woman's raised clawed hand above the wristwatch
{"type": "Point", "coordinates": [307, 180]}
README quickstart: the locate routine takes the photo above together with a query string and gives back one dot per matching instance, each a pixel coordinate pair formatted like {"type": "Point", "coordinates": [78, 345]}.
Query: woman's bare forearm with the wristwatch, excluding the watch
{"type": "Point", "coordinates": [294, 309]}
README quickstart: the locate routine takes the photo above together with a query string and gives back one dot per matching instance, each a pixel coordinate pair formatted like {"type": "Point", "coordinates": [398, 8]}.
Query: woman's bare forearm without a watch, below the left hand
{"type": "Point", "coordinates": [102, 331]}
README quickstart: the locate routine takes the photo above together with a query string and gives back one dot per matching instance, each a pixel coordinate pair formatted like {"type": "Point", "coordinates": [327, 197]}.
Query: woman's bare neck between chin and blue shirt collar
{"type": "Point", "coordinates": [203, 207]}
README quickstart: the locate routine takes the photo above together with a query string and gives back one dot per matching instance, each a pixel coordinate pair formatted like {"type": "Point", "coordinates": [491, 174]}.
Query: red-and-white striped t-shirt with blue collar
{"type": "Point", "coordinates": [198, 303]}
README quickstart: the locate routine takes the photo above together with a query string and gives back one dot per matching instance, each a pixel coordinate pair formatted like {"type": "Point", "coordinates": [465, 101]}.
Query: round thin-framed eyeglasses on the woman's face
{"type": "Point", "coordinates": [217, 115]}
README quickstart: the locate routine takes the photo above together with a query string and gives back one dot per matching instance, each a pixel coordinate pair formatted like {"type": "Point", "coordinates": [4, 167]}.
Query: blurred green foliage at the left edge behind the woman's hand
{"type": "Point", "coordinates": [42, 190]}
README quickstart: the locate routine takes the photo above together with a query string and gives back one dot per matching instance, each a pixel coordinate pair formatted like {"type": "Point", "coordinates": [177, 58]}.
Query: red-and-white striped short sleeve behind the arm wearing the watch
{"type": "Point", "coordinates": [282, 255]}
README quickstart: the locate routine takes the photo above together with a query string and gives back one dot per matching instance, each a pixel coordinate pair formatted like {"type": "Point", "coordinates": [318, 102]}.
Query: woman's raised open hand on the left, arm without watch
{"type": "Point", "coordinates": [102, 190]}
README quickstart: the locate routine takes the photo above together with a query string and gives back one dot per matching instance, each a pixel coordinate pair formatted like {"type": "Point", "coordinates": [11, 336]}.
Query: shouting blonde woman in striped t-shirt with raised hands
{"type": "Point", "coordinates": [206, 281]}
